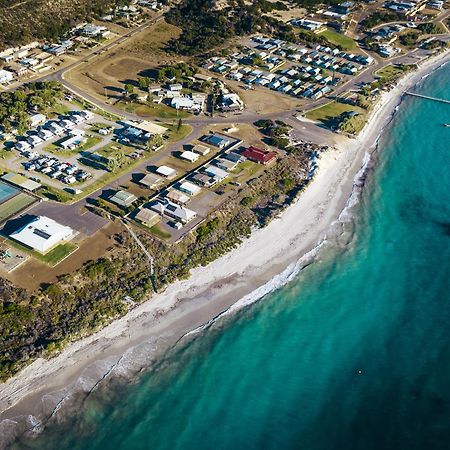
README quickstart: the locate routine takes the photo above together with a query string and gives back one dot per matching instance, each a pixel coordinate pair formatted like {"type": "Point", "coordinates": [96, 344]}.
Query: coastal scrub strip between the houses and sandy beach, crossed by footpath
{"type": "Point", "coordinates": [40, 323]}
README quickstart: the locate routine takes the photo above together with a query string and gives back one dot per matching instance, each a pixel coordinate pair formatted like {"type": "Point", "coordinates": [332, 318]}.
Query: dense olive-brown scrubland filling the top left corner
{"type": "Point", "coordinates": [25, 21]}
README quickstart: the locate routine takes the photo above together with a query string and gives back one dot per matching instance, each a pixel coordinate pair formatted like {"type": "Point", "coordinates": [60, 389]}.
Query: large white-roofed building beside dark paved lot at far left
{"type": "Point", "coordinates": [42, 234]}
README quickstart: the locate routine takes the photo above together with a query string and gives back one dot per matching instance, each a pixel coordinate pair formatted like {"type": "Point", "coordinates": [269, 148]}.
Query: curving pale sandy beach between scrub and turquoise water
{"type": "Point", "coordinates": [233, 280]}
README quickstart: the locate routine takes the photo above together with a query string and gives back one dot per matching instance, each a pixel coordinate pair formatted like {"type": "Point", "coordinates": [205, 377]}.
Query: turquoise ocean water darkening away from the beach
{"type": "Point", "coordinates": [353, 354]}
